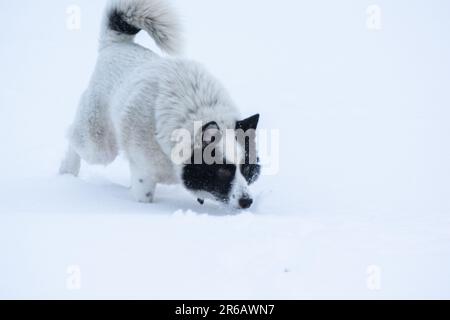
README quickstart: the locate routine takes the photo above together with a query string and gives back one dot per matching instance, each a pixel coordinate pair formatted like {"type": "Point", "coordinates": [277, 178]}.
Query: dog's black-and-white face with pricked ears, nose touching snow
{"type": "Point", "coordinates": [235, 166]}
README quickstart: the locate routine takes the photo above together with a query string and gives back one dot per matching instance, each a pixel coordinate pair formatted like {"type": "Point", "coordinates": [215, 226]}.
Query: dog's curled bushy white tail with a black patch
{"type": "Point", "coordinates": [125, 18]}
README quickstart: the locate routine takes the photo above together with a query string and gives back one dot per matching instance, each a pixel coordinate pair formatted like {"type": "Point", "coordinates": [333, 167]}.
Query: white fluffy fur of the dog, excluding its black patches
{"type": "Point", "coordinates": [137, 99]}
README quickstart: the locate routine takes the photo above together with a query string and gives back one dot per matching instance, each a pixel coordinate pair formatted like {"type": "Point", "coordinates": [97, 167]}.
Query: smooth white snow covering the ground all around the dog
{"type": "Point", "coordinates": [359, 208]}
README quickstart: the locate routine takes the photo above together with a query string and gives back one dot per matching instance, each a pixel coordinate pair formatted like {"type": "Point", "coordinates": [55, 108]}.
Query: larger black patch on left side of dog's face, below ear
{"type": "Point", "coordinates": [215, 179]}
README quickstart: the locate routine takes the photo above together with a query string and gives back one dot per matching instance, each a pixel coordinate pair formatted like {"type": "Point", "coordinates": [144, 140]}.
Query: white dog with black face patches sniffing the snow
{"type": "Point", "coordinates": [136, 100]}
